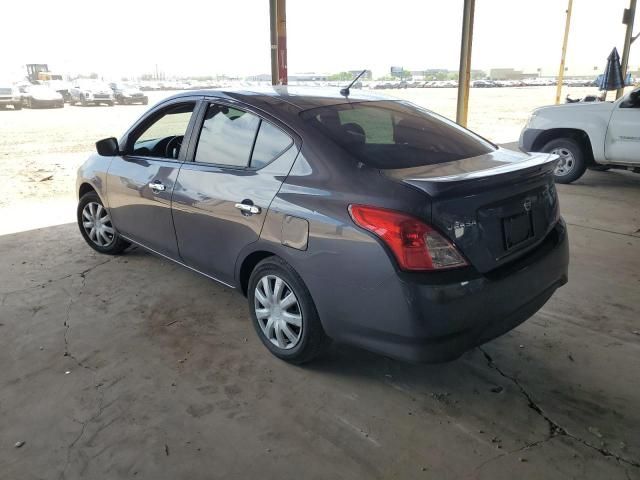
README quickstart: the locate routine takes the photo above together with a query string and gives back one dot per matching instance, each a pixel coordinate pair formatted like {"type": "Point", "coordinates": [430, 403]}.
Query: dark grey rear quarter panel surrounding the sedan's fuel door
{"type": "Point", "coordinates": [348, 271]}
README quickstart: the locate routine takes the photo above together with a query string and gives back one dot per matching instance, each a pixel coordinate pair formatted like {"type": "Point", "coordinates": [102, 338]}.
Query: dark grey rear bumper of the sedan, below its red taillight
{"type": "Point", "coordinates": [420, 322]}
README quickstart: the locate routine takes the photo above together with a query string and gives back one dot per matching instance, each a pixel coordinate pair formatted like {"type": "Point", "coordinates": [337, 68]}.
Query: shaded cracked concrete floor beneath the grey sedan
{"type": "Point", "coordinates": [168, 380]}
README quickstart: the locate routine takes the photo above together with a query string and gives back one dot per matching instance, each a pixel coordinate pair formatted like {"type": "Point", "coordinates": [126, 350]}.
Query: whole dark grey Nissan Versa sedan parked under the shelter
{"type": "Point", "coordinates": [355, 218]}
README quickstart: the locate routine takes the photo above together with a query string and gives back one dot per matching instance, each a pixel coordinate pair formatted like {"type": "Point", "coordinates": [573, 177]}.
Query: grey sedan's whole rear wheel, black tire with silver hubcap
{"type": "Point", "coordinates": [284, 314]}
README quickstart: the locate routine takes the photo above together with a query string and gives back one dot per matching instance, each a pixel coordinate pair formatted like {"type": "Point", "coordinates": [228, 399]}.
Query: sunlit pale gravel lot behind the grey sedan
{"type": "Point", "coordinates": [43, 143]}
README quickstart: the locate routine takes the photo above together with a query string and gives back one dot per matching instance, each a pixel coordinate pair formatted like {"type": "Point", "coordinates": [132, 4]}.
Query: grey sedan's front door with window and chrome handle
{"type": "Point", "coordinates": [140, 183]}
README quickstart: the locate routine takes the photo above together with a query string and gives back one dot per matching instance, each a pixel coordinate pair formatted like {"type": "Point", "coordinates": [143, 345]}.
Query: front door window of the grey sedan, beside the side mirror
{"type": "Point", "coordinates": [163, 137]}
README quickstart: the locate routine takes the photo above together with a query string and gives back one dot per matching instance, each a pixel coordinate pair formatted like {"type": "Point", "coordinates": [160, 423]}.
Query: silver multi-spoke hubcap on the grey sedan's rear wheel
{"type": "Point", "coordinates": [278, 312]}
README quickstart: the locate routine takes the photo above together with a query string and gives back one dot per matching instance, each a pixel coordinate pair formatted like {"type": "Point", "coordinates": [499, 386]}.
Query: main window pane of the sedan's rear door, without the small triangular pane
{"type": "Point", "coordinates": [227, 136]}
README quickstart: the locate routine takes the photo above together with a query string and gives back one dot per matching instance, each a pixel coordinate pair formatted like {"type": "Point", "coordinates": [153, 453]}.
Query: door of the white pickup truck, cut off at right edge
{"type": "Point", "coordinates": [623, 133]}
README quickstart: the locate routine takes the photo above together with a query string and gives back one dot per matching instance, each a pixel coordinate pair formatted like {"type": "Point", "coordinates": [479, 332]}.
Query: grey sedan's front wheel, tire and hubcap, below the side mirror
{"type": "Point", "coordinates": [96, 227]}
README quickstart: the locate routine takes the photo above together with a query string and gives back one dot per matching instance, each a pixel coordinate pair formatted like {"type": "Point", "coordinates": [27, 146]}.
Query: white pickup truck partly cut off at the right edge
{"type": "Point", "coordinates": [597, 135]}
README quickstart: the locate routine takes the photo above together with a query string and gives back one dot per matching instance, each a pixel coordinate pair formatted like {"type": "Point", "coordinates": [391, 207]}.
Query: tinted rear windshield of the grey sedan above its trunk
{"type": "Point", "coordinates": [390, 134]}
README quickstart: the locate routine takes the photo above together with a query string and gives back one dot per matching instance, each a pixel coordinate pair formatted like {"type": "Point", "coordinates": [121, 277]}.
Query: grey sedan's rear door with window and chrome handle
{"type": "Point", "coordinates": [222, 195]}
